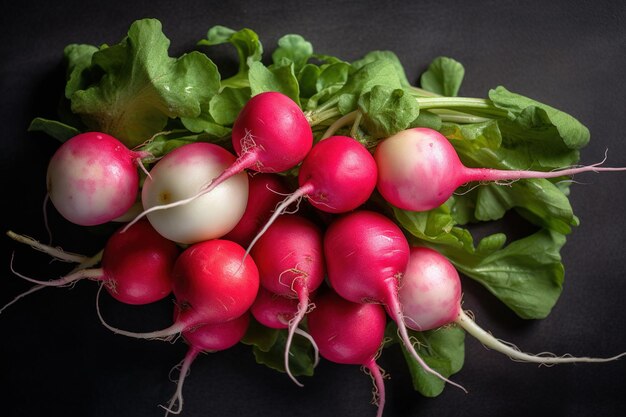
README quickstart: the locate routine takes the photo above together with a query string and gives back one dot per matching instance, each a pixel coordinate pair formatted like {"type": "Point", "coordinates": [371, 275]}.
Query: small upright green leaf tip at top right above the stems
{"type": "Point", "coordinates": [443, 76]}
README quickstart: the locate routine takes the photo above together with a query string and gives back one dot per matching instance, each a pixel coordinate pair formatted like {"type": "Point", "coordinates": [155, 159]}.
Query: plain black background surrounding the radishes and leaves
{"type": "Point", "coordinates": [56, 359]}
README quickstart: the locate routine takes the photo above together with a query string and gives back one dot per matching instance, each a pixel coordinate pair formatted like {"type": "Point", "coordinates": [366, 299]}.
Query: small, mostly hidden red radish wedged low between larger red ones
{"type": "Point", "coordinates": [277, 312]}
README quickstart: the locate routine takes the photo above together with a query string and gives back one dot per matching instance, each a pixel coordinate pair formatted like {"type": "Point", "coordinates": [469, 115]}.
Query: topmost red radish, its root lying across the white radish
{"type": "Point", "coordinates": [270, 134]}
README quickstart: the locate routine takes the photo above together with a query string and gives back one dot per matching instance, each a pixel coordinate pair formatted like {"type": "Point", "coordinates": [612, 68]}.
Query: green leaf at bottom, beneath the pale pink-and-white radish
{"type": "Point", "coordinates": [443, 349]}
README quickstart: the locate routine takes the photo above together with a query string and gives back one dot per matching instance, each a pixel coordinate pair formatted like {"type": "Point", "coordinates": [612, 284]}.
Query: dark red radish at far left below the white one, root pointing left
{"type": "Point", "coordinates": [136, 266]}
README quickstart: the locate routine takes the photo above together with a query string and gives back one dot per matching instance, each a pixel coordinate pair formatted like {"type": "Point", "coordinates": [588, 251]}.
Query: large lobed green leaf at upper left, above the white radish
{"type": "Point", "coordinates": [142, 87]}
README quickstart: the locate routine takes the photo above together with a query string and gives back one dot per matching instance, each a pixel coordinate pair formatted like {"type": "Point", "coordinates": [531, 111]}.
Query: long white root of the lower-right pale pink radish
{"type": "Point", "coordinates": [515, 354]}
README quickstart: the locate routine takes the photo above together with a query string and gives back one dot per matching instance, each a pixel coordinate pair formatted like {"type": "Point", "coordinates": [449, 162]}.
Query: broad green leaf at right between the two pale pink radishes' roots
{"type": "Point", "coordinates": [526, 275]}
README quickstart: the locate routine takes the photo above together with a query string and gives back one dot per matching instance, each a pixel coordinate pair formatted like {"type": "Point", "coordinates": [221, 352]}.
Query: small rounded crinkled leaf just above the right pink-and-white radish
{"type": "Point", "coordinates": [386, 111]}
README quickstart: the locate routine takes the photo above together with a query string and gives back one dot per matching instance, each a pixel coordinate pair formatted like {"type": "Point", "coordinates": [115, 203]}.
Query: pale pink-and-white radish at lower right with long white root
{"type": "Point", "coordinates": [430, 296]}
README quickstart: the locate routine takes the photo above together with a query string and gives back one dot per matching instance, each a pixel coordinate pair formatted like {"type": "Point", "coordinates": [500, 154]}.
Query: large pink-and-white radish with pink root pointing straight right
{"type": "Point", "coordinates": [418, 170]}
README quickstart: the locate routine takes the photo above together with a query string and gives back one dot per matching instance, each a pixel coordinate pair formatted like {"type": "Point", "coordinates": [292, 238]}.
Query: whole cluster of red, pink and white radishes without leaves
{"type": "Point", "coordinates": [224, 235]}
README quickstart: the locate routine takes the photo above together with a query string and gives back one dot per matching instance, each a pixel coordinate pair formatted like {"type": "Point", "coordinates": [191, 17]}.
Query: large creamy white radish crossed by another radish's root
{"type": "Point", "coordinates": [181, 174]}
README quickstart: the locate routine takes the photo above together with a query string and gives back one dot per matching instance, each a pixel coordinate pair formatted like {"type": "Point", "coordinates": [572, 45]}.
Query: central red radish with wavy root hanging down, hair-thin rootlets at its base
{"type": "Point", "coordinates": [290, 259]}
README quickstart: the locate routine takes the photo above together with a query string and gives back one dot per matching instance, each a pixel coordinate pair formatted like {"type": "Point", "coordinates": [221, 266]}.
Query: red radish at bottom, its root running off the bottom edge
{"type": "Point", "coordinates": [350, 333]}
